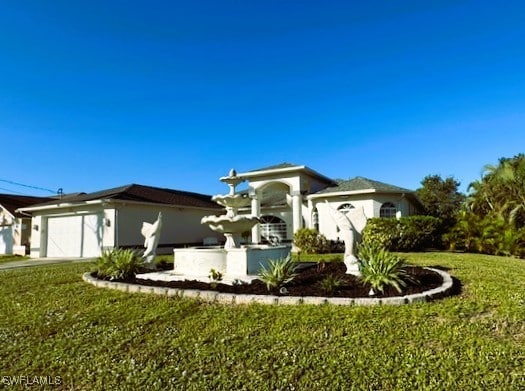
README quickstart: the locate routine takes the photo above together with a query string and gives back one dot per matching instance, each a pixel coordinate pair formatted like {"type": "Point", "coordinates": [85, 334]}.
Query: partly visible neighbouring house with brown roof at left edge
{"type": "Point", "coordinates": [15, 227]}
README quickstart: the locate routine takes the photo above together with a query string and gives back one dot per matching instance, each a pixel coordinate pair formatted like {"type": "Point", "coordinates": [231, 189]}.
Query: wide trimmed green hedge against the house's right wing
{"type": "Point", "coordinates": [413, 233]}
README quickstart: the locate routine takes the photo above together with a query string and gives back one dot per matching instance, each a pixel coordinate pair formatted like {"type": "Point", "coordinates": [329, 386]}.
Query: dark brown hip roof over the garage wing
{"type": "Point", "coordinates": [141, 193]}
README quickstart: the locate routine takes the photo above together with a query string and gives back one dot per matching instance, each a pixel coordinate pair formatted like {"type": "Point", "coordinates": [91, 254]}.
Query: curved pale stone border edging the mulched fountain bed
{"type": "Point", "coordinates": [232, 298]}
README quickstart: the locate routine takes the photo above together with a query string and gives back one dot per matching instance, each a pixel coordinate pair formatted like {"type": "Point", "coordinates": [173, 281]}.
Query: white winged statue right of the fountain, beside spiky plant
{"type": "Point", "coordinates": [351, 225]}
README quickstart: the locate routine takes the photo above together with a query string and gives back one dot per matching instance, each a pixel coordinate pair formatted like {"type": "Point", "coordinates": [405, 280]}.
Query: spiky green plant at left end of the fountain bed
{"type": "Point", "coordinates": [121, 264]}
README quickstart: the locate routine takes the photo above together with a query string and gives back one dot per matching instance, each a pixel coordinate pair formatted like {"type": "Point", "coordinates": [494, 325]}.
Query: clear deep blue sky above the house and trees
{"type": "Point", "coordinates": [97, 94]}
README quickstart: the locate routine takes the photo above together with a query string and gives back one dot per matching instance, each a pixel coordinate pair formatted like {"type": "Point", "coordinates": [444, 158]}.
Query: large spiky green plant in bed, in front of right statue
{"type": "Point", "coordinates": [380, 268]}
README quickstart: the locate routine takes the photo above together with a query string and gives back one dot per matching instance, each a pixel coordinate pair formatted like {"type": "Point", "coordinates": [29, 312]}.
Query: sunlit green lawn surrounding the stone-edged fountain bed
{"type": "Point", "coordinates": [54, 324]}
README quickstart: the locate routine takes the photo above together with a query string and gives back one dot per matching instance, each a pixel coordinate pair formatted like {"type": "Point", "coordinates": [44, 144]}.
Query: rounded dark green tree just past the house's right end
{"type": "Point", "coordinates": [441, 198]}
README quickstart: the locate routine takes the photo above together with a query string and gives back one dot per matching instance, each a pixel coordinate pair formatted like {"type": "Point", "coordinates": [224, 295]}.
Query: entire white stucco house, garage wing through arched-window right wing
{"type": "Point", "coordinates": [285, 197]}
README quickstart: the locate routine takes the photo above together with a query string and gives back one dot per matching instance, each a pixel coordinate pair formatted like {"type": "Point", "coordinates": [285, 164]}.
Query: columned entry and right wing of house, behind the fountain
{"type": "Point", "coordinates": [288, 197]}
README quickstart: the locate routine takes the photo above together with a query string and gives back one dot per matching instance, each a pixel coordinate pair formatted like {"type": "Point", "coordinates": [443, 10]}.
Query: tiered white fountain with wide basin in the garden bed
{"type": "Point", "coordinates": [234, 261]}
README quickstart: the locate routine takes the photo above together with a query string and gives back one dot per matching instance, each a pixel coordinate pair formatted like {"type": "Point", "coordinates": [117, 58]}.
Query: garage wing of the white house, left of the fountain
{"type": "Point", "coordinates": [83, 225]}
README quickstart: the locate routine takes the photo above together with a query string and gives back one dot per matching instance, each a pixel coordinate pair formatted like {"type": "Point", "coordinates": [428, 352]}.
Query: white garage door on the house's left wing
{"type": "Point", "coordinates": [74, 236]}
